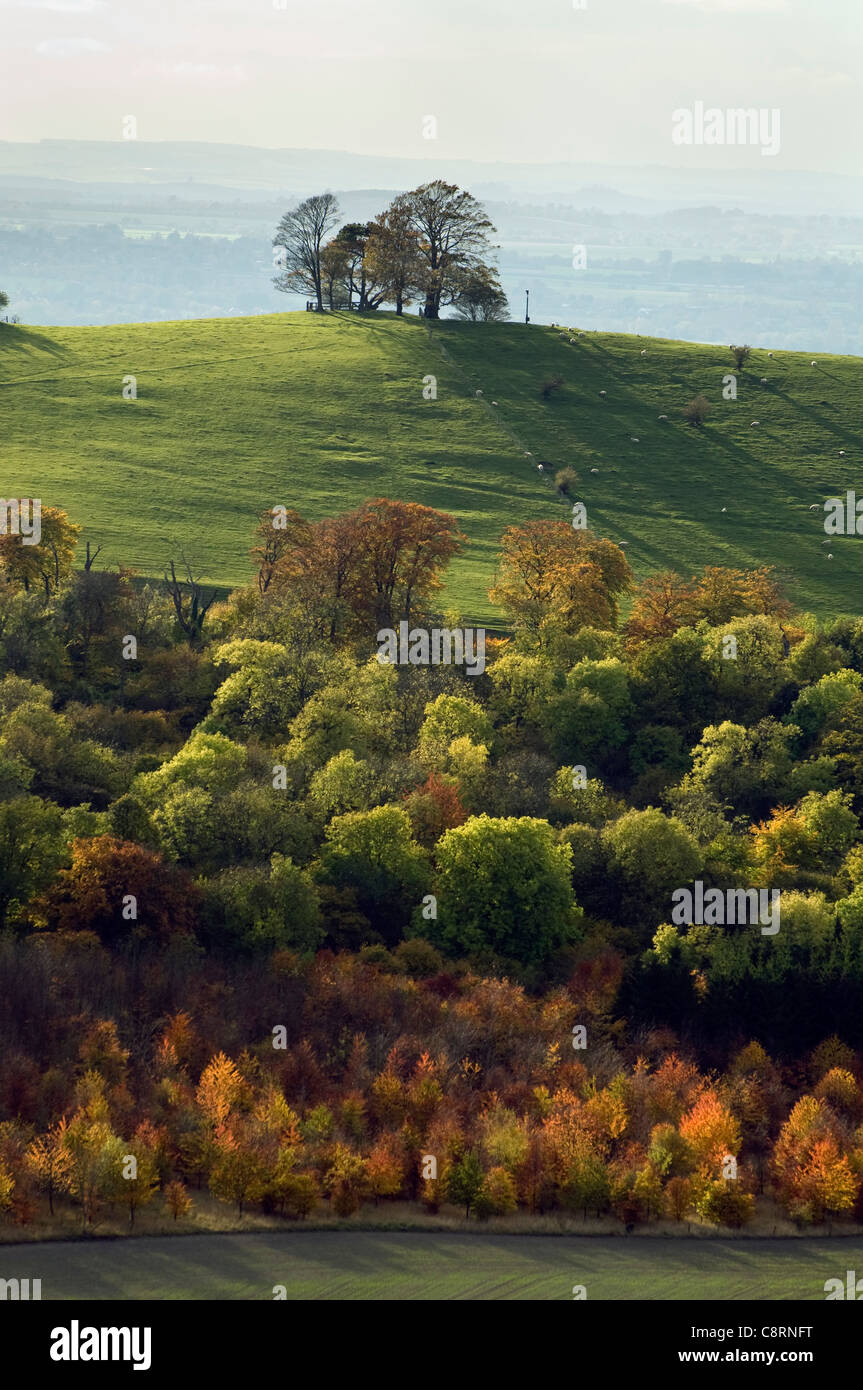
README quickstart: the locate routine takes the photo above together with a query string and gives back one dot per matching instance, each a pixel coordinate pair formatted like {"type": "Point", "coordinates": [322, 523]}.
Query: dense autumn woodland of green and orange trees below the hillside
{"type": "Point", "coordinates": [231, 815]}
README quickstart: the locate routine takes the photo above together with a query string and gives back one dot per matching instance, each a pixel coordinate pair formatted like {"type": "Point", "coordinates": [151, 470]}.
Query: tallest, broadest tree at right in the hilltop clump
{"type": "Point", "coordinates": [454, 238]}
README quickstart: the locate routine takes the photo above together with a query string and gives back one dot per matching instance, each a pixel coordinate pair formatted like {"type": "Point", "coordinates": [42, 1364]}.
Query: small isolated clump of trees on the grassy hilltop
{"type": "Point", "coordinates": [430, 245]}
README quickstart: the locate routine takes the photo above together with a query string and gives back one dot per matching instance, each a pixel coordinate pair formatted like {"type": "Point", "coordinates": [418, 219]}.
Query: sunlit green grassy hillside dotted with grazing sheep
{"type": "Point", "coordinates": [319, 414]}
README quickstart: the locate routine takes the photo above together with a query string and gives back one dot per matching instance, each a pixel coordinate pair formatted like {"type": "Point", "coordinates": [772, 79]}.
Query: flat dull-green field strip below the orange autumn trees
{"type": "Point", "coordinates": [368, 1266]}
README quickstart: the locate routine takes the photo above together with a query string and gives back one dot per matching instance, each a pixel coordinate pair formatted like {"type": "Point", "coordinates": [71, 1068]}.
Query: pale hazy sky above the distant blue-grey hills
{"type": "Point", "coordinates": [534, 81]}
